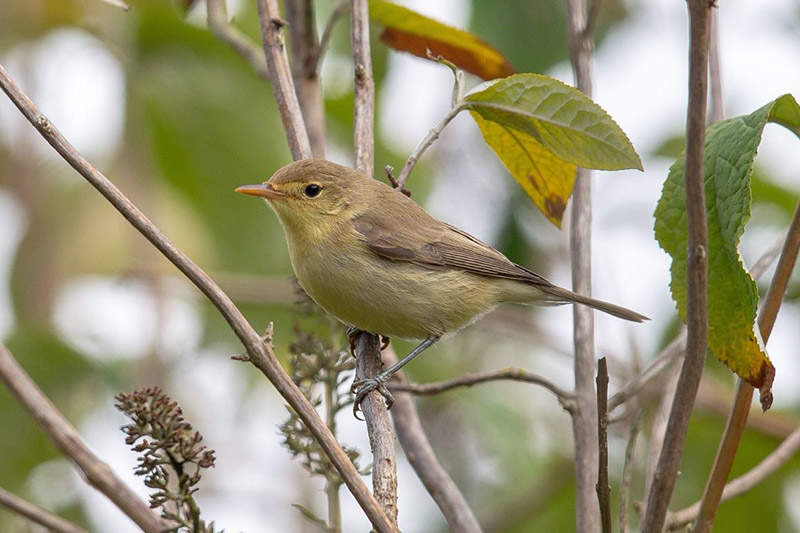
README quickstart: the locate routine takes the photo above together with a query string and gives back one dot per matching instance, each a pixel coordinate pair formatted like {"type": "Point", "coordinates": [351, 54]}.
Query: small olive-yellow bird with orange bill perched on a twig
{"type": "Point", "coordinates": [373, 258]}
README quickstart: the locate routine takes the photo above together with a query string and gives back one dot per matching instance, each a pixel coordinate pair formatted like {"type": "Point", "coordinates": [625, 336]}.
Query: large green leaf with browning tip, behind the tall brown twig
{"type": "Point", "coordinates": [730, 150]}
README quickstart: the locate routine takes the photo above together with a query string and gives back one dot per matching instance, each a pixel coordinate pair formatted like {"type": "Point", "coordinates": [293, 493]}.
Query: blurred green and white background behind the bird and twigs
{"type": "Point", "coordinates": [177, 120]}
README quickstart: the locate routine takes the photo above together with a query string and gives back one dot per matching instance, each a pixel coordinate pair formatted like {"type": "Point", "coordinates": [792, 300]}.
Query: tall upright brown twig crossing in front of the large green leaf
{"type": "Point", "coordinates": [697, 276]}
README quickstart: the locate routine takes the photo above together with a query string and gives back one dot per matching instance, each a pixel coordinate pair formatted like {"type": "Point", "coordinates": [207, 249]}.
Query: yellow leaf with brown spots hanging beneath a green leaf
{"type": "Point", "coordinates": [547, 179]}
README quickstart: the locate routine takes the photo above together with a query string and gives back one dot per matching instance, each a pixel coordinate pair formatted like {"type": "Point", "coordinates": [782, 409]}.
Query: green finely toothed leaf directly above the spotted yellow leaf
{"type": "Point", "coordinates": [561, 118]}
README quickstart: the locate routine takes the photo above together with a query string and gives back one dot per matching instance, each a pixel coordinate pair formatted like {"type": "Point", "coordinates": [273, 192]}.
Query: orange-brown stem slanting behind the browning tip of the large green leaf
{"type": "Point", "coordinates": [740, 409]}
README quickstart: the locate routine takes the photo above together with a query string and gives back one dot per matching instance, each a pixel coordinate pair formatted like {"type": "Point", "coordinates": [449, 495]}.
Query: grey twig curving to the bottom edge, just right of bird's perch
{"type": "Point", "coordinates": [423, 460]}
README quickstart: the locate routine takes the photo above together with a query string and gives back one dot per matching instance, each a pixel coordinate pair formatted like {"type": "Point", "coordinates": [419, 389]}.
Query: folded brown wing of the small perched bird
{"type": "Point", "coordinates": [439, 245]}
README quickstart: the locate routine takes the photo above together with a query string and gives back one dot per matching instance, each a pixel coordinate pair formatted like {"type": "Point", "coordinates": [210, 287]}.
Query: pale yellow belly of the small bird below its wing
{"type": "Point", "coordinates": [399, 299]}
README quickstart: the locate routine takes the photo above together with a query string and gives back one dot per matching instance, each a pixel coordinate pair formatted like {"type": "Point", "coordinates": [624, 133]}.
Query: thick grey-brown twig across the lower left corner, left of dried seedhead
{"type": "Point", "coordinates": [97, 473]}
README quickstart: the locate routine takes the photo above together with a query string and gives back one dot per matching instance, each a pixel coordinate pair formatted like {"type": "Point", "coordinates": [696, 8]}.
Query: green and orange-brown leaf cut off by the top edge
{"type": "Point", "coordinates": [411, 32]}
